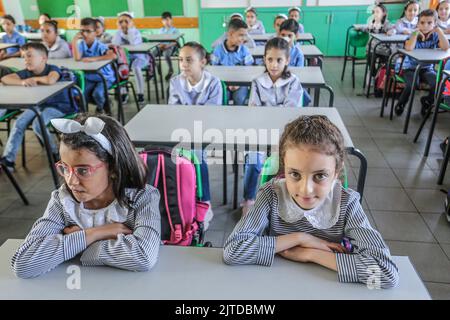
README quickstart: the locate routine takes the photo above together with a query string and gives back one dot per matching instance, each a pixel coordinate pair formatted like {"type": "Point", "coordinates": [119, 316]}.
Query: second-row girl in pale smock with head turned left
{"type": "Point", "coordinates": [196, 86]}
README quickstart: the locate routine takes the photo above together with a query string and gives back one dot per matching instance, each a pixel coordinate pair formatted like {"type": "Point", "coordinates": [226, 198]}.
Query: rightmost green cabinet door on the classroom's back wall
{"type": "Point", "coordinates": [340, 21]}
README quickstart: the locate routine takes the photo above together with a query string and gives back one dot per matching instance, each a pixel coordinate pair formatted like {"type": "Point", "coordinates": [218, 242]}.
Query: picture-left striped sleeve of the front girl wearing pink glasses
{"type": "Point", "coordinates": [46, 246]}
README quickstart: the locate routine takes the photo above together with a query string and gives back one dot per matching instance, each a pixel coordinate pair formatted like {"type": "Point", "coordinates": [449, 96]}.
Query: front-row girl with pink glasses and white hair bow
{"type": "Point", "coordinates": [104, 211]}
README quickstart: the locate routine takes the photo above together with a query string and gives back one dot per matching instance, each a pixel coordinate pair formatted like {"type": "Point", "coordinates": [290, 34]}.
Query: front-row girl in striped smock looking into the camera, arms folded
{"type": "Point", "coordinates": [305, 213]}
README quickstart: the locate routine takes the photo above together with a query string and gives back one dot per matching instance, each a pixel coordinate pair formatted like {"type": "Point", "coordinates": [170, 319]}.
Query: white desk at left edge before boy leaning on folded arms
{"type": "Point", "coordinates": [19, 97]}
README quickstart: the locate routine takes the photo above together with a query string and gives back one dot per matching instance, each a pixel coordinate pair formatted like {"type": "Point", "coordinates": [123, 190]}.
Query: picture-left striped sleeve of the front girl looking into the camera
{"type": "Point", "coordinates": [248, 243]}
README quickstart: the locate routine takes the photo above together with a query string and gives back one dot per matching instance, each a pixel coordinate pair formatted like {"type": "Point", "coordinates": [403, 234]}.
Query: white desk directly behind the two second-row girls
{"type": "Point", "coordinates": [310, 77]}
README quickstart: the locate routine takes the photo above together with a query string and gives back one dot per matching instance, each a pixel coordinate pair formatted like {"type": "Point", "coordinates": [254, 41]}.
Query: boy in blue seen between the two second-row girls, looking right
{"type": "Point", "coordinates": [232, 52]}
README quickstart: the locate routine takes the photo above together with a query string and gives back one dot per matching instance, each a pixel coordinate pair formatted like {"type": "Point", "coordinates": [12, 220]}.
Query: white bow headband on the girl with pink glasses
{"type": "Point", "coordinates": [92, 127]}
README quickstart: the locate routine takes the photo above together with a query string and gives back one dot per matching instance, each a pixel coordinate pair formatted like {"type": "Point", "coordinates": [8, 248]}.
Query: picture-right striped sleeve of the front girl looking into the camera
{"type": "Point", "coordinates": [371, 262]}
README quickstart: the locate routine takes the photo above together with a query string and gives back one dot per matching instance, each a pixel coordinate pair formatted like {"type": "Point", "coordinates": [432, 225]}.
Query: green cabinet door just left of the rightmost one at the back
{"type": "Point", "coordinates": [318, 23]}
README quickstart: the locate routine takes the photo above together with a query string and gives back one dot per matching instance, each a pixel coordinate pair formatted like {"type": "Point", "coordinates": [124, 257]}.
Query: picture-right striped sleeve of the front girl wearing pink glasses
{"type": "Point", "coordinates": [137, 251]}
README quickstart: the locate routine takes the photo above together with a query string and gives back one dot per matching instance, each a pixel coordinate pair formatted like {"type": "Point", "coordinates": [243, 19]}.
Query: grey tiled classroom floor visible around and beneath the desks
{"type": "Point", "coordinates": [402, 199]}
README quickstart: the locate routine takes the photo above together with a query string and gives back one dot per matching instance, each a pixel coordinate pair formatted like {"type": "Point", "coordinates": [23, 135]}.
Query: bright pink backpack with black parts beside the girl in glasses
{"type": "Point", "coordinates": [182, 215]}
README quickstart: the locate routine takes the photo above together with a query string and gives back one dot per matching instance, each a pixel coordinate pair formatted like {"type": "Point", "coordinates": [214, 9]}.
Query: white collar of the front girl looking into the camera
{"type": "Point", "coordinates": [324, 216]}
